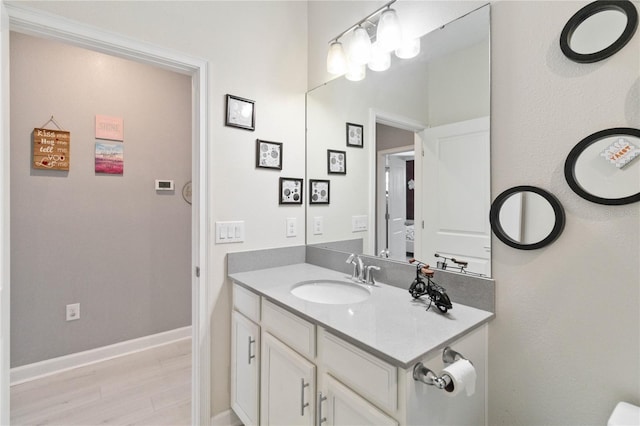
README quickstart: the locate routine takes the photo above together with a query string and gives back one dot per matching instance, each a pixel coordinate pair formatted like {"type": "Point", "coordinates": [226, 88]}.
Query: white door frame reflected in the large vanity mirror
{"type": "Point", "coordinates": [401, 122]}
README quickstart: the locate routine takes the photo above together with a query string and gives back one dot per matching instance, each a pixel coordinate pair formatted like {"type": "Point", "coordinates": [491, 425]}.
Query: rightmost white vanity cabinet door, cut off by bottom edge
{"type": "Point", "coordinates": [343, 407]}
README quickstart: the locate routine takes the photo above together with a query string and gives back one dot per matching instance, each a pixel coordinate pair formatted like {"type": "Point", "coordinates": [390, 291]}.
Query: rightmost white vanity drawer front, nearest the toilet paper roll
{"type": "Point", "coordinates": [371, 377]}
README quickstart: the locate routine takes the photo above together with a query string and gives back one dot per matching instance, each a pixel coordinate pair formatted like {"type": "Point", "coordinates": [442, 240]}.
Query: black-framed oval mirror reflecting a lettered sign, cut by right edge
{"type": "Point", "coordinates": [603, 167]}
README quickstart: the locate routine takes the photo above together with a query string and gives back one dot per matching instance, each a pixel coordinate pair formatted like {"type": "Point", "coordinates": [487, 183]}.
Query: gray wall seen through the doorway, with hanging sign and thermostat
{"type": "Point", "coordinates": [110, 243]}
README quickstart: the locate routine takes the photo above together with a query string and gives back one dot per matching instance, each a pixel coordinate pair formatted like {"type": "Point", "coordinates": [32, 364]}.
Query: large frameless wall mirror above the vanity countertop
{"type": "Point", "coordinates": [400, 202]}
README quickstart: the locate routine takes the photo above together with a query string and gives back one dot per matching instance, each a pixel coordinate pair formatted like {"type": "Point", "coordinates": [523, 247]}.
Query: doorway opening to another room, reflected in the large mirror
{"type": "Point", "coordinates": [395, 192]}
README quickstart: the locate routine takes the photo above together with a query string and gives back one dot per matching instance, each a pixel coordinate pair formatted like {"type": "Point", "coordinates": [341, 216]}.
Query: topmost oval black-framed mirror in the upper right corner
{"type": "Point", "coordinates": [599, 30]}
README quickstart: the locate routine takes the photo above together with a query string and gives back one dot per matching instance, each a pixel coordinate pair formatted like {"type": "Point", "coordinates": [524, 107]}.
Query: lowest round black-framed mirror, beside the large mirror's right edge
{"type": "Point", "coordinates": [526, 217]}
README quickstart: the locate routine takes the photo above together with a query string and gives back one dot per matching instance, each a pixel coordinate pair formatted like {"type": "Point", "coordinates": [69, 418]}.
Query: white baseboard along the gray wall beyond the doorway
{"type": "Point", "coordinates": [47, 367]}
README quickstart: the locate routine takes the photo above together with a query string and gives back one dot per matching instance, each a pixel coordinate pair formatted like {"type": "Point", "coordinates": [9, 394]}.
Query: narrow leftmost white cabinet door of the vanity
{"type": "Point", "coordinates": [245, 369]}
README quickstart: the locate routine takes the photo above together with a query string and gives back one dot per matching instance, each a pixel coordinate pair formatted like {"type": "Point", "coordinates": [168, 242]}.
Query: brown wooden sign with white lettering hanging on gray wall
{"type": "Point", "coordinates": [51, 149]}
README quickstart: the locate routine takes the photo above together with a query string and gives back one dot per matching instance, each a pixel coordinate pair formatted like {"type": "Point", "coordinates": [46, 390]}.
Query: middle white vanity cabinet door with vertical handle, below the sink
{"type": "Point", "coordinates": [288, 385]}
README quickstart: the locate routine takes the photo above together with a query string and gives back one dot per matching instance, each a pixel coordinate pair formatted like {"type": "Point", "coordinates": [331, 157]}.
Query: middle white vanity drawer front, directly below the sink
{"type": "Point", "coordinates": [299, 334]}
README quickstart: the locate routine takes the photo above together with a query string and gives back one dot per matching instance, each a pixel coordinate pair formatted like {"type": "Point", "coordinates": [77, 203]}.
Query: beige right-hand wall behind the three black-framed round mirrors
{"type": "Point", "coordinates": [565, 346]}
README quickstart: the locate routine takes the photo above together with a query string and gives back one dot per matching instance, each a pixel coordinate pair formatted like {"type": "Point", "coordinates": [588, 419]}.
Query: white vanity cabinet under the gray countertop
{"type": "Point", "coordinates": [310, 376]}
